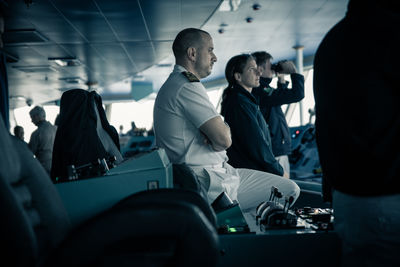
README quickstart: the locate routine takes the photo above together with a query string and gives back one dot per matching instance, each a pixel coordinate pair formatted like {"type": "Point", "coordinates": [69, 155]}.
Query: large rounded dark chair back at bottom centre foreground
{"type": "Point", "coordinates": [150, 228]}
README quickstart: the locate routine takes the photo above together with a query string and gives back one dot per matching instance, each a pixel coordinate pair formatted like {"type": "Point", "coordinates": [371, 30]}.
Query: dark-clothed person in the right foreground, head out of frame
{"type": "Point", "coordinates": [357, 130]}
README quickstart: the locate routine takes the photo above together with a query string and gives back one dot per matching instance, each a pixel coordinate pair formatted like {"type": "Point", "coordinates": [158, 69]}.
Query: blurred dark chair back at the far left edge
{"type": "Point", "coordinates": [34, 220]}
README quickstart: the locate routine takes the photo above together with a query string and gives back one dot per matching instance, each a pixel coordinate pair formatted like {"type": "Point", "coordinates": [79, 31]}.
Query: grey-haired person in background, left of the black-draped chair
{"type": "Point", "coordinates": [42, 139]}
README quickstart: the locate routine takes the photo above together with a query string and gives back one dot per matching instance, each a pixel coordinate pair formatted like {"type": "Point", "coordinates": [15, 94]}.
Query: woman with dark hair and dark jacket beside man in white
{"type": "Point", "coordinates": [251, 141]}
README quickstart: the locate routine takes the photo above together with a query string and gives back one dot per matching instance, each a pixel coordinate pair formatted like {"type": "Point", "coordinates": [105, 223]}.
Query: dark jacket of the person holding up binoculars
{"type": "Point", "coordinates": [270, 101]}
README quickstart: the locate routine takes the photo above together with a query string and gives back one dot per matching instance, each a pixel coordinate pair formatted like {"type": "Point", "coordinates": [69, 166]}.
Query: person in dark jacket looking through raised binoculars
{"type": "Point", "coordinates": [271, 100]}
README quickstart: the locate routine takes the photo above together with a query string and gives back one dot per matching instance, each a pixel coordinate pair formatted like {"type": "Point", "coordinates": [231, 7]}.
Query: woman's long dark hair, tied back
{"type": "Point", "coordinates": [235, 65]}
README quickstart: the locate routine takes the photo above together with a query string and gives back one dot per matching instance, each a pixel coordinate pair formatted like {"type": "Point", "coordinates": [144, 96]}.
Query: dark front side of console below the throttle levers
{"type": "Point", "coordinates": [282, 248]}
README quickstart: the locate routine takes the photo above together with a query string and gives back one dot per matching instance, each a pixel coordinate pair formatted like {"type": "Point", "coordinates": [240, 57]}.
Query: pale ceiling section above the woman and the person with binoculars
{"type": "Point", "coordinates": [276, 27]}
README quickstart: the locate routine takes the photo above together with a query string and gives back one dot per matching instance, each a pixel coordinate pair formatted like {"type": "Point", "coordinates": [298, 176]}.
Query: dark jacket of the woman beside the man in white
{"type": "Point", "coordinates": [251, 142]}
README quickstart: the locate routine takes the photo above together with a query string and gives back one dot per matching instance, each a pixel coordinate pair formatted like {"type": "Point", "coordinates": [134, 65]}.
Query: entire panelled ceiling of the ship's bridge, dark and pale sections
{"type": "Point", "coordinates": [120, 39]}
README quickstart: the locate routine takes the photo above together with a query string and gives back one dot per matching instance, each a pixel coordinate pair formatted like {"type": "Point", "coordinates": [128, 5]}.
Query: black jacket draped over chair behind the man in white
{"type": "Point", "coordinates": [77, 139]}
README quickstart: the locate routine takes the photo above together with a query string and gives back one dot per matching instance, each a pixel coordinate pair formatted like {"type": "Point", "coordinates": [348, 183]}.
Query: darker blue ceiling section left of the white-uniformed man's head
{"type": "Point", "coordinates": [113, 40]}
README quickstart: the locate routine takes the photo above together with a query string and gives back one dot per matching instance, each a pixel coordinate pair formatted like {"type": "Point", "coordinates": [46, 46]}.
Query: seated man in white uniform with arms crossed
{"type": "Point", "coordinates": [190, 129]}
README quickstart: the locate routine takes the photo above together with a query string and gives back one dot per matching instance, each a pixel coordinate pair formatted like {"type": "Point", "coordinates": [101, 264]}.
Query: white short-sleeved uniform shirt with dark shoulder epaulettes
{"type": "Point", "coordinates": [181, 107]}
